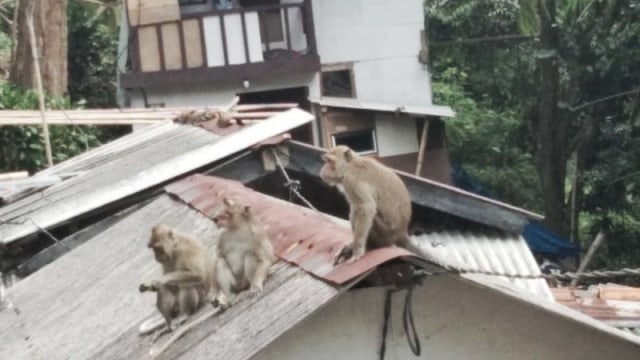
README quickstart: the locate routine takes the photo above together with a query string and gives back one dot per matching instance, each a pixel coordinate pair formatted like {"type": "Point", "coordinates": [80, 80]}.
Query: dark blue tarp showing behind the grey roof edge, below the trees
{"type": "Point", "coordinates": [538, 237]}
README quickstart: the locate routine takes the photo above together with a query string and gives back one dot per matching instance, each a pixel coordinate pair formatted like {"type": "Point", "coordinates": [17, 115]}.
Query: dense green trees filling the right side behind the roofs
{"type": "Point", "coordinates": [492, 61]}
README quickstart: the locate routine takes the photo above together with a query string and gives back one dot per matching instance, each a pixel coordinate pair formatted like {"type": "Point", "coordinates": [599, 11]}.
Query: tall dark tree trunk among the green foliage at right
{"type": "Point", "coordinates": [547, 126]}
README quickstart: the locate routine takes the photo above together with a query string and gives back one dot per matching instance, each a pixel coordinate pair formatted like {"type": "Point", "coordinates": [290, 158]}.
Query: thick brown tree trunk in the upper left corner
{"type": "Point", "coordinates": [50, 22]}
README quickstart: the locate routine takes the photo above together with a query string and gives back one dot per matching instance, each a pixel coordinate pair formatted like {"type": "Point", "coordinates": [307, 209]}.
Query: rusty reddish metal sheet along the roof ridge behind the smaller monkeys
{"type": "Point", "coordinates": [301, 236]}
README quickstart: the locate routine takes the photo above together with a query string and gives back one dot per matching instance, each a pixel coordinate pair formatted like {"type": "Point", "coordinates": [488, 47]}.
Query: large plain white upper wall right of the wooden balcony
{"type": "Point", "coordinates": [382, 39]}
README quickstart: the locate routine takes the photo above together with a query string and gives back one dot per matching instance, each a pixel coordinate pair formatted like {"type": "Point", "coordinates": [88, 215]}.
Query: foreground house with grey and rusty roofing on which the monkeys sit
{"type": "Point", "coordinates": [79, 298]}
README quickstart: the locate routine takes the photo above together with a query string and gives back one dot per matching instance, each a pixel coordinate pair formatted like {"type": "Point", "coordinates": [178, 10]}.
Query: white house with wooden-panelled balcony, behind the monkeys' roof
{"type": "Point", "coordinates": [358, 66]}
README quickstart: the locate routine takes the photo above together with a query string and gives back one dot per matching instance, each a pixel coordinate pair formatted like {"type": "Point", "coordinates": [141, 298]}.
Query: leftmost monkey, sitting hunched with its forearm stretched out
{"type": "Point", "coordinates": [188, 273]}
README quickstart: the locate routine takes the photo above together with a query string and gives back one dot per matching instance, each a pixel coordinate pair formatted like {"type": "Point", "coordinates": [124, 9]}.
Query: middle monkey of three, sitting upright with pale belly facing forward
{"type": "Point", "coordinates": [244, 252]}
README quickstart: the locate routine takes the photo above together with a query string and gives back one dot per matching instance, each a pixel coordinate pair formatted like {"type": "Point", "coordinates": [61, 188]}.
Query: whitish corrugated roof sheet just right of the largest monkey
{"type": "Point", "coordinates": [492, 252]}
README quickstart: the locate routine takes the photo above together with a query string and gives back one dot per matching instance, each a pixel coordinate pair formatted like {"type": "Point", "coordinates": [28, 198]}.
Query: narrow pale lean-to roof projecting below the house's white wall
{"type": "Point", "coordinates": [350, 103]}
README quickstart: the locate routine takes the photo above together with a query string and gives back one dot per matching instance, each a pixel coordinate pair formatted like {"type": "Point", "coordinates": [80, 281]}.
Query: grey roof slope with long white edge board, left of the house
{"type": "Point", "coordinates": [144, 160]}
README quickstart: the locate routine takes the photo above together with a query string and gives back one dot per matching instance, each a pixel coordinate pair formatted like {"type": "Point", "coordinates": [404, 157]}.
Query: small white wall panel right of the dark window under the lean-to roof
{"type": "Point", "coordinates": [395, 136]}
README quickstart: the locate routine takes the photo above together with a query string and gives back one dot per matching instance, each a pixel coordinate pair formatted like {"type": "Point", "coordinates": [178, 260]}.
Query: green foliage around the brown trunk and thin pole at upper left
{"type": "Point", "coordinates": [92, 47]}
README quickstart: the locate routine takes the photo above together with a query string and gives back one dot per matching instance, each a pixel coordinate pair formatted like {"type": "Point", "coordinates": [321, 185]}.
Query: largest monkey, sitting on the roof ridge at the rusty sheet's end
{"type": "Point", "coordinates": [379, 202]}
